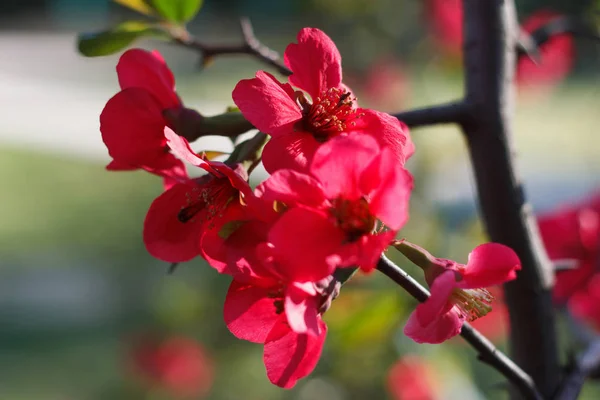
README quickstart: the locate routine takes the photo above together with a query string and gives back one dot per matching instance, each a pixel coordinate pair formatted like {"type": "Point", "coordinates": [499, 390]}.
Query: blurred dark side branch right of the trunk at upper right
{"type": "Point", "coordinates": [530, 42]}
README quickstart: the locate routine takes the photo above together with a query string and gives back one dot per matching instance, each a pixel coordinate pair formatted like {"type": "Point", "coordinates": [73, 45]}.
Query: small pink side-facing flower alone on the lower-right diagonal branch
{"type": "Point", "coordinates": [457, 292]}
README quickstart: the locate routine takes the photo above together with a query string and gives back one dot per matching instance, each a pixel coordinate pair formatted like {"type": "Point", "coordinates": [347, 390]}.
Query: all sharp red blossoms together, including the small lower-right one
{"type": "Point", "coordinates": [337, 195]}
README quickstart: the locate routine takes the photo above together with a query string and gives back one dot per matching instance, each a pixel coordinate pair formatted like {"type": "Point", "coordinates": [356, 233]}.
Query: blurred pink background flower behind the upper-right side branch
{"type": "Point", "coordinates": [556, 55]}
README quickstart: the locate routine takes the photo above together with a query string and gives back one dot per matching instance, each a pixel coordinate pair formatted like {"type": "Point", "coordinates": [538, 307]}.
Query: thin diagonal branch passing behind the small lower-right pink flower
{"type": "Point", "coordinates": [488, 353]}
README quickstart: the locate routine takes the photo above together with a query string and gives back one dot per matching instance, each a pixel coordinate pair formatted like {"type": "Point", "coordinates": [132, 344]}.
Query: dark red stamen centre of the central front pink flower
{"type": "Point", "coordinates": [353, 217]}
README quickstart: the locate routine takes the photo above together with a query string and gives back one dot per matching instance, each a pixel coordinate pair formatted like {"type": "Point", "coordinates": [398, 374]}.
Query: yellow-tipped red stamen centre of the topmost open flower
{"type": "Point", "coordinates": [329, 114]}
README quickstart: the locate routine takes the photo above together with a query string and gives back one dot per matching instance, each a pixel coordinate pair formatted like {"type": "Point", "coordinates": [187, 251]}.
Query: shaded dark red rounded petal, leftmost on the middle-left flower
{"type": "Point", "coordinates": [165, 236]}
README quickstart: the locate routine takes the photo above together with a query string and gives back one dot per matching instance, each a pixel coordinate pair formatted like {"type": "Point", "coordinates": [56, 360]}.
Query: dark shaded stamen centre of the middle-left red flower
{"type": "Point", "coordinates": [208, 199]}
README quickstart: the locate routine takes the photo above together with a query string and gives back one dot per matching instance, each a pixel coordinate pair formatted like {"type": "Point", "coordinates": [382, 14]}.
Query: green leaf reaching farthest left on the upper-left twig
{"type": "Point", "coordinates": [116, 39]}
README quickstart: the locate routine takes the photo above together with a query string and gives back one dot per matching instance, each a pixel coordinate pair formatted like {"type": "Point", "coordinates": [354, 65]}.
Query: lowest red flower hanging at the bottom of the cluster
{"type": "Point", "coordinates": [265, 304]}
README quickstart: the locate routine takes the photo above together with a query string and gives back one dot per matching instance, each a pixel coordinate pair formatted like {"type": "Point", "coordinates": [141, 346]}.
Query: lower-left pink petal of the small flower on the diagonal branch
{"type": "Point", "coordinates": [444, 327]}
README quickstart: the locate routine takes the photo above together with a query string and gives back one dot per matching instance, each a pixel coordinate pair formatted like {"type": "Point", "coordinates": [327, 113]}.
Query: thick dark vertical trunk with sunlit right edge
{"type": "Point", "coordinates": [489, 59]}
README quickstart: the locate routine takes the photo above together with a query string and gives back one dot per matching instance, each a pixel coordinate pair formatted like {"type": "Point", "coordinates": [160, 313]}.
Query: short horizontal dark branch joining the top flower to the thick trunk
{"type": "Point", "coordinates": [454, 112]}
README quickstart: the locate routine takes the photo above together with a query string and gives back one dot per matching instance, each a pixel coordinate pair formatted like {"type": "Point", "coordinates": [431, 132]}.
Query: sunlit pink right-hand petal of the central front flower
{"type": "Point", "coordinates": [388, 186]}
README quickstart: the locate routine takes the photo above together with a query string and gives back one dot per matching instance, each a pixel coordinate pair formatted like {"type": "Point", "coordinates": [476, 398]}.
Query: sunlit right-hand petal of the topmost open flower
{"type": "Point", "coordinates": [387, 130]}
